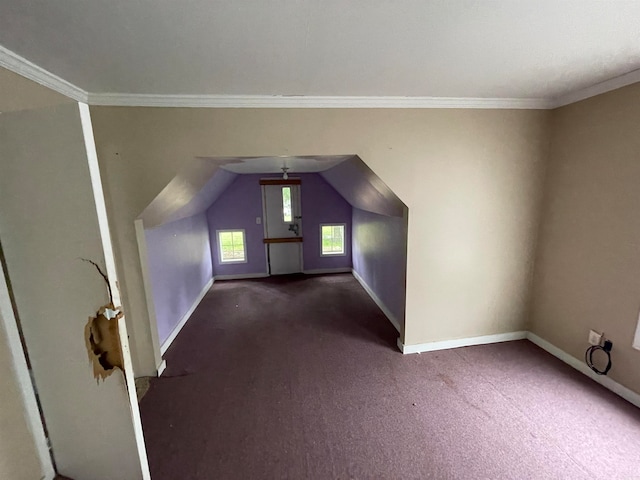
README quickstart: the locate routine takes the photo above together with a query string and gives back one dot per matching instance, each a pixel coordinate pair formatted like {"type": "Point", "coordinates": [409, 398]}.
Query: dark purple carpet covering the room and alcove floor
{"type": "Point", "coordinates": [299, 377]}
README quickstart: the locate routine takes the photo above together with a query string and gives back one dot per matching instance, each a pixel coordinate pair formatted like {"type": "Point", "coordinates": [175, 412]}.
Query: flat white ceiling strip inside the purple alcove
{"type": "Point", "coordinates": [304, 164]}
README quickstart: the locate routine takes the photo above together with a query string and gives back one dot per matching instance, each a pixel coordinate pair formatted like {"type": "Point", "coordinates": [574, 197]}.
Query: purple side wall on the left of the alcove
{"type": "Point", "coordinates": [179, 258]}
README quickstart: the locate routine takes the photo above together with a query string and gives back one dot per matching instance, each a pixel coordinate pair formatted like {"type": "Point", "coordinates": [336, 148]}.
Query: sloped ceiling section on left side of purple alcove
{"type": "Point", "coordinates": [190, 192]}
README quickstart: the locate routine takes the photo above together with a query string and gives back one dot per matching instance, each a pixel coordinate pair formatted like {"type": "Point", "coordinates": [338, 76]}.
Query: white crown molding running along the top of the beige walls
{"type": "Point", "coordinates": [20, 65]}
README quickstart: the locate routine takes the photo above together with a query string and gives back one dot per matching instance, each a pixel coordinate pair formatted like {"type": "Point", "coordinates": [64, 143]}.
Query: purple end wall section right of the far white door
{"type": "Point", "coordinates": [322, 204]}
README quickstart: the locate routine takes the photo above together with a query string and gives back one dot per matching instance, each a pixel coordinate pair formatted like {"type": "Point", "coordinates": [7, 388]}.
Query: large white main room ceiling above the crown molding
{"type": "Point", "coordinates": [453, 48]}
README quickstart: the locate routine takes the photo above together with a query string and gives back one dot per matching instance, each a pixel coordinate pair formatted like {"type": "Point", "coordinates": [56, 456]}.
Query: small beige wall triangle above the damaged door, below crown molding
{"type": "Point", "coordinates": [19, 93]}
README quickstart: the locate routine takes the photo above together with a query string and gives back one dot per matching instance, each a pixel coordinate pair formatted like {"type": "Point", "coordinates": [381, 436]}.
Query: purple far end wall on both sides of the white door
{"type": "Point", "coordinates": [241, 203]}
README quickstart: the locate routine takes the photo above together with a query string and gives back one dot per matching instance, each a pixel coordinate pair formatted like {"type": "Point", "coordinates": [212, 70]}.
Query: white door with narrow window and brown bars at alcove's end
{"type": "Point", "coordinates": [282, 226]}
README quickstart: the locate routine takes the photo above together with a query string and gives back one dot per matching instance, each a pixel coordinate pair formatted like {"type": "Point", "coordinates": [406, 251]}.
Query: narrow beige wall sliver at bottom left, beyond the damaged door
{"type": "Point", "coordinates": [18, 454]}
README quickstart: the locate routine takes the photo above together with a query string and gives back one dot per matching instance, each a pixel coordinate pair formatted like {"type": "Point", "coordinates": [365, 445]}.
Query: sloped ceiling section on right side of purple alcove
{"type": "Point", "coordinates": [363, 189]}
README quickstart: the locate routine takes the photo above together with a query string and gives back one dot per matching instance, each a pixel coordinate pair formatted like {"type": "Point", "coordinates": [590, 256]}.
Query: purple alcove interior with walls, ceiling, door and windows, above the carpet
{"type": "Point", "coordinates": [244, 219]}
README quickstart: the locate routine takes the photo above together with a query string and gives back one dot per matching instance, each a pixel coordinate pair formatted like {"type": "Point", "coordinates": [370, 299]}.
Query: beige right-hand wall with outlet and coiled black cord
{"type": "Point", "coordinates": [588, 263]}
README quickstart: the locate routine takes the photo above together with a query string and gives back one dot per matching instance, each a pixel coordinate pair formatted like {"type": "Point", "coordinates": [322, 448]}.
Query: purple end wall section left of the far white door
{"type": "Point", "coordinates": [237, 208]}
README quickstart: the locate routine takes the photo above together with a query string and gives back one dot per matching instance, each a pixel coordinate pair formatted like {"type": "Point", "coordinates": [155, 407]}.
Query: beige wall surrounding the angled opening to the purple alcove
{"type": "Point", "coordinates": [471, 179]}
